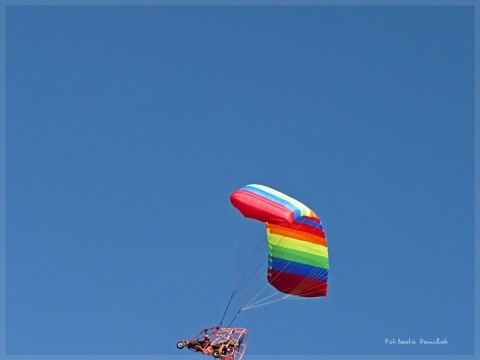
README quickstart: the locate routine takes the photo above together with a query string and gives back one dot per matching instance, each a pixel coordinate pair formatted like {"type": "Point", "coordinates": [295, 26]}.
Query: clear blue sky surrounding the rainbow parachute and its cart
{"type": "Point", "coordinates": [129, 127]}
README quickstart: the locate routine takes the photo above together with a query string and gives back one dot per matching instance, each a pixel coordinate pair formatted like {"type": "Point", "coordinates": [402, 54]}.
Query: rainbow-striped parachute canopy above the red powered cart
{"type": "Point", "coordinates": [298, 252]}
